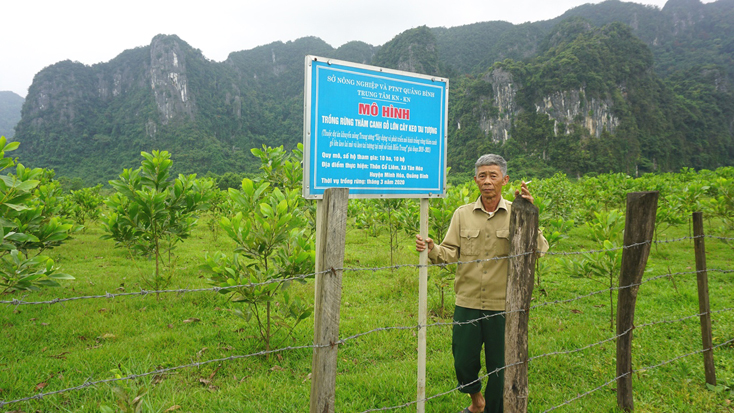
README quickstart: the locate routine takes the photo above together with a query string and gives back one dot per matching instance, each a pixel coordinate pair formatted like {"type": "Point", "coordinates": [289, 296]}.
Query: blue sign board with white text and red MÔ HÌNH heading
{"type": "Point", "coordinates": [376, 131]}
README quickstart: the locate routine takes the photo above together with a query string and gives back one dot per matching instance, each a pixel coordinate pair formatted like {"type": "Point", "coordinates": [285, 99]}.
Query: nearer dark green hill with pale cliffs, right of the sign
{"type": "Point", "coordinates": [590, 101]}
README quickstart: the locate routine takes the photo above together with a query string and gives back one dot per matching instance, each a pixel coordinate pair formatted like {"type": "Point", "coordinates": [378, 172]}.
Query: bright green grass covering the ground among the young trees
{"type": "Point", "coordinates": [46, 348]}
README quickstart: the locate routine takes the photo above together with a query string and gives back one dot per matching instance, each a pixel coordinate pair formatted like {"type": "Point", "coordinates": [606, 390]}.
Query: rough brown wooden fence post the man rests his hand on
{"type": "Point", "coordinates": [520, 278]}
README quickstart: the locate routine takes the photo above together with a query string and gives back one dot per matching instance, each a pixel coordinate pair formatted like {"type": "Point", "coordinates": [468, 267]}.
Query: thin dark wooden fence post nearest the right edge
{"type": "Point", "coordinates": [704, 307]}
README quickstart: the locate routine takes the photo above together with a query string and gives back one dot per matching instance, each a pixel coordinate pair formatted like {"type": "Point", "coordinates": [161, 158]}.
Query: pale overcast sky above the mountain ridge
{"type": "Point", "coordinates": [38, 33]}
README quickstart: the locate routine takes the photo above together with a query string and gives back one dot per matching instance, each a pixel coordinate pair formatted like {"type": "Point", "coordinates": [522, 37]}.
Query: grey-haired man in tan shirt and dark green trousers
{"type": "Point", "coordinates": [480, 231]}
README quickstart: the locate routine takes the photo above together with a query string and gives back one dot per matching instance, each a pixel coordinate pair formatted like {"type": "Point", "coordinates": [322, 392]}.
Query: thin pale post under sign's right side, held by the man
{"type": "Point", "coordinates": [422, 309]}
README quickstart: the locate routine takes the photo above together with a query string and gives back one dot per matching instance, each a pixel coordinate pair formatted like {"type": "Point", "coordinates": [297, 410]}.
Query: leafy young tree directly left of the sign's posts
{"type": "Point", "coordinates": [274, 241]}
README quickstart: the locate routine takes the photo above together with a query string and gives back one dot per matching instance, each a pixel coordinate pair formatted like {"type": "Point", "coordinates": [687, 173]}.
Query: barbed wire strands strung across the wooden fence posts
{"type": "Point", "coordinates": [142, 293]}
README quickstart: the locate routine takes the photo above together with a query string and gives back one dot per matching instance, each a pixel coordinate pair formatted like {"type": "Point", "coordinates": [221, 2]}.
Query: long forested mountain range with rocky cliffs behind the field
{"type": "Point", "coordinates": [607, 87]}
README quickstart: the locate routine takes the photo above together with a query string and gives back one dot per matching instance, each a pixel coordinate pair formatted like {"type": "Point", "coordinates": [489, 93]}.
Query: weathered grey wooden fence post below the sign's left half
{"type": "Point", "coordinates": [330, 256]}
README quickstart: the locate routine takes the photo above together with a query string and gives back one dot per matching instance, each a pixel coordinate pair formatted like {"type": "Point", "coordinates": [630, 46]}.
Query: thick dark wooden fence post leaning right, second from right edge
{"type": "Point", "coordinates": [638, 229]}
